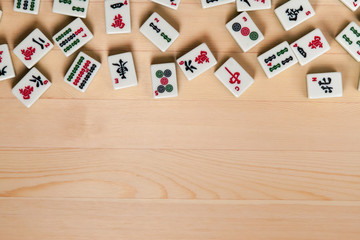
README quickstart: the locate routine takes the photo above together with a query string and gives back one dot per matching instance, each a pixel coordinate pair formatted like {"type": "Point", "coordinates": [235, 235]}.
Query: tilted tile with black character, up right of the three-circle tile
{"type": "Point", "coordinates": [294, 12]}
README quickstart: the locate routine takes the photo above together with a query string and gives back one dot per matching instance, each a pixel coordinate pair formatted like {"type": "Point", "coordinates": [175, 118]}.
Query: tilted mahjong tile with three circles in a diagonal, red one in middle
{"type": "Point", "coordinates": [244, 31]}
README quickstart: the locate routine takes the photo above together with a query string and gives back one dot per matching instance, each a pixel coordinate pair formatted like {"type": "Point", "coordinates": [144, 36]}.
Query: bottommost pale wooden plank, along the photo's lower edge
{"type": "Point", "coordinates": [24, 219]}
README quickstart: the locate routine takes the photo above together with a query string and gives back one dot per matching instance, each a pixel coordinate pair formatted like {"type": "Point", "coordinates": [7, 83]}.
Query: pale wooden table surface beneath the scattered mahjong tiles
{"type": "Point", "coordinates": [109, 164]}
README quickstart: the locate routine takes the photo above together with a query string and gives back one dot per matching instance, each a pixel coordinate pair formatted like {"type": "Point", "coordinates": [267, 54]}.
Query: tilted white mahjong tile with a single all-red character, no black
{"type": "Point", "coordinates": [234, 77]}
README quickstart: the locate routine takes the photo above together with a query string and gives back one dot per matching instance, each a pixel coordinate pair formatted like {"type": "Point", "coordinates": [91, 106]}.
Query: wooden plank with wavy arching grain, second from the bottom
{"type": "Point", "coordinates": [179, 174]}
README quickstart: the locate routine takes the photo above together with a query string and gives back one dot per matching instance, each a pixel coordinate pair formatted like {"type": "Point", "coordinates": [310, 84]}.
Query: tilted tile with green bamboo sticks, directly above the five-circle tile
{"type": "Point", "coordinates": [159, 32]}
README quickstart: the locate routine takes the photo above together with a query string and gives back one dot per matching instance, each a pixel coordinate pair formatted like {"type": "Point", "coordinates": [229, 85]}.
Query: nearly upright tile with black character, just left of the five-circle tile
{"type": "Point", "coordinates": [122, 70]}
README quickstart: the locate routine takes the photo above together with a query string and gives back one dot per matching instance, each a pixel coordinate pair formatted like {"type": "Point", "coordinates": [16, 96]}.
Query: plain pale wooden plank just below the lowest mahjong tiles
{"type": "Point", "coordinates": [187, 125]}
